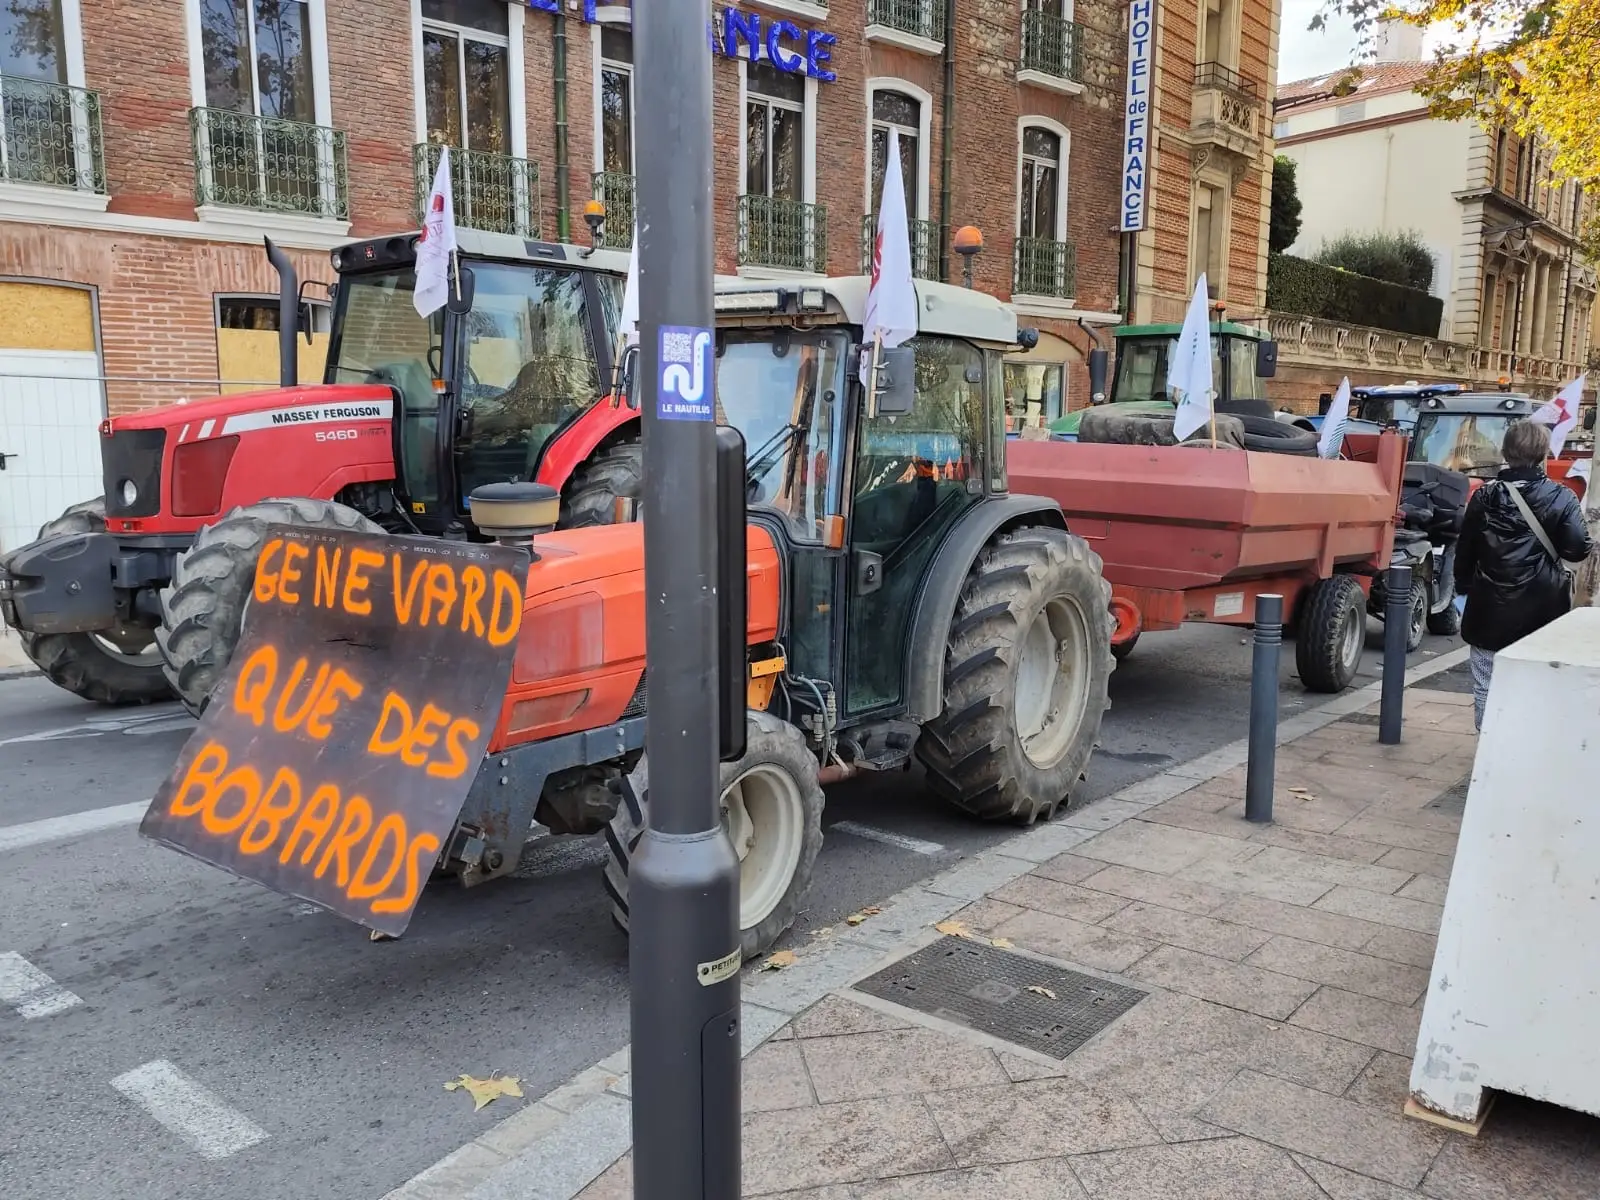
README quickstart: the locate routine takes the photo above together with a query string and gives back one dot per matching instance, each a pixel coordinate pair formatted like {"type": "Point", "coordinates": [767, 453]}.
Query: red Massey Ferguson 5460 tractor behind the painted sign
{"type": "Point", "coordinates": [140, 594]}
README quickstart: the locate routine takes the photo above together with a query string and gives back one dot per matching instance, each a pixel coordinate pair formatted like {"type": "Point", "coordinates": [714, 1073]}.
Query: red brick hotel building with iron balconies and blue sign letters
{"type": "Point", "coordinates": [150, 146]}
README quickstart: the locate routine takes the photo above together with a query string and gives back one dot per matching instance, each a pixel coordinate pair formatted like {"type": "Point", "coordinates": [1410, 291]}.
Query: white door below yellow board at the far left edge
{"type": "Point", "coordinates": [52, 404]}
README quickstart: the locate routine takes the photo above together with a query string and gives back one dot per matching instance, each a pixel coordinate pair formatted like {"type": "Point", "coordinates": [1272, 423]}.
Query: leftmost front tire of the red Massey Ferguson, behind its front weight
{"type": "Point", "coordinates": [111, 666]}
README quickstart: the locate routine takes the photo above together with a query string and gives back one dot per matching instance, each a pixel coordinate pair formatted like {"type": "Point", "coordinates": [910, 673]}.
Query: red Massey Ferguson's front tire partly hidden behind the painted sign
{"type": "Point", "coordinates": [204, 607]}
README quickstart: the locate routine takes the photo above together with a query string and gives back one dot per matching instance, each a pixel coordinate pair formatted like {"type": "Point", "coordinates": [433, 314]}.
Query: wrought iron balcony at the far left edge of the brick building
{"type": "Point", "coordinates": [50, 135]}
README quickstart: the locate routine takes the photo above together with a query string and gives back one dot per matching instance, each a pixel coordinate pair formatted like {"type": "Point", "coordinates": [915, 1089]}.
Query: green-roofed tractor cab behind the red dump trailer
{"type": "Point", "coordinates": [1242, 361]}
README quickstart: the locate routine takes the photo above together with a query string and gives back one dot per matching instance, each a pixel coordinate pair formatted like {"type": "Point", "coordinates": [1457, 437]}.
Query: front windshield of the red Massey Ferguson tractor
{"type": "Point", "coordinates": [380, 340]}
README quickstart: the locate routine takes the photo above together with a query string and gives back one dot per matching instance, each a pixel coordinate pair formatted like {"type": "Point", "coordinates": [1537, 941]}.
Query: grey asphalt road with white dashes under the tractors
{"type": "Point", "coordinates": [324, 1055]}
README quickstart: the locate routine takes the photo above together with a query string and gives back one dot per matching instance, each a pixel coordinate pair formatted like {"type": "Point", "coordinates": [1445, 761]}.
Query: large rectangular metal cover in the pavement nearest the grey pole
{"type": "Point", "coordinates": [1007, 996]}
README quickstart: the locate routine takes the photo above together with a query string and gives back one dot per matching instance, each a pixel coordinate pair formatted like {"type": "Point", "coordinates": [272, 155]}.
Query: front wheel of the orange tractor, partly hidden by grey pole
{"type": "Point", "coordinates": [774, 814]}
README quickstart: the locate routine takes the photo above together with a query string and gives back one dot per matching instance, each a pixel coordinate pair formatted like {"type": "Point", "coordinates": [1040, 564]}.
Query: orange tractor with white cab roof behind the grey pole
{"type": "Point", "coordinates": [902, 602]}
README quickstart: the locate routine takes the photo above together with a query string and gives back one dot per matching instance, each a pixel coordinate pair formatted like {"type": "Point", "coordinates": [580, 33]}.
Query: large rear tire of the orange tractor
{"type": "Point", "coordinates": [1026, 678]}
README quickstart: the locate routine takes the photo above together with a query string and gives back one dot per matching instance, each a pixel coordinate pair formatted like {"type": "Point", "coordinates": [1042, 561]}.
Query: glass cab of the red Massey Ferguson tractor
{"type": "Point", "coordinates": [522, 351]}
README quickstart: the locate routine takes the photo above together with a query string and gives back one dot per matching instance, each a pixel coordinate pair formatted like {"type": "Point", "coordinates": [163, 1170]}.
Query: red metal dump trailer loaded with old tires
{"type": "Point", "coordinates": [1191, 534]}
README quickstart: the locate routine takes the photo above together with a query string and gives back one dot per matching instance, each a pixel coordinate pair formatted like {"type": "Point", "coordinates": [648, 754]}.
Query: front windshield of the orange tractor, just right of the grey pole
{"type": "Point", "coordinates": [785, 391]}
